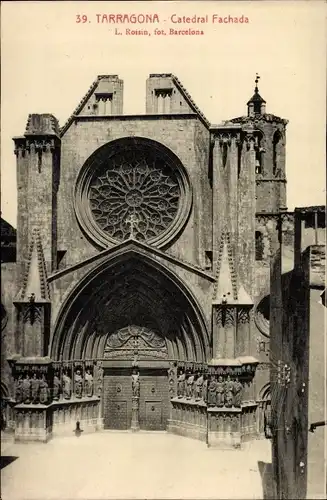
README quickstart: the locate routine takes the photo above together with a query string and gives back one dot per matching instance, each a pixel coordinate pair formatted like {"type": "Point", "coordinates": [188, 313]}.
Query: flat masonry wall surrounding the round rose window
{"type": "Point", "coordinates": [182, 137]}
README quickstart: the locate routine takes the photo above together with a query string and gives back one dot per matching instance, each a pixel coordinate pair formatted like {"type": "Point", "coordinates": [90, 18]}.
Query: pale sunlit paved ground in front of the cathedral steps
{"type": "Point", "coordinates": [112, 465]}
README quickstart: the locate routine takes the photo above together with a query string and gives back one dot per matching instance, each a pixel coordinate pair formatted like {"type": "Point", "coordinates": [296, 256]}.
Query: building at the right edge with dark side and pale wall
{"type": "Point", "coordinates": [298, 356]}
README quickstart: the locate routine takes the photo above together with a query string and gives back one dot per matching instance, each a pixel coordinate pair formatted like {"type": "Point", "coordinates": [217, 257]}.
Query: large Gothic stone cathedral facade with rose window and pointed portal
{"type": "Point", "coordinates": [136, 286]}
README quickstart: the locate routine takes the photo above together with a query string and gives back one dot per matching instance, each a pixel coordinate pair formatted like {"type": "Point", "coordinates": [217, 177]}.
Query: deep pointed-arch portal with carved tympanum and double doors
{"type": "Point", "coordinates": [132, 311]}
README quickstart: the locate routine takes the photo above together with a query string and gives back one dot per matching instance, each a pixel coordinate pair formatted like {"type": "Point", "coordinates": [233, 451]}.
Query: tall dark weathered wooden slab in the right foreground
{"type": "Point", "coordinates": [289, 351]}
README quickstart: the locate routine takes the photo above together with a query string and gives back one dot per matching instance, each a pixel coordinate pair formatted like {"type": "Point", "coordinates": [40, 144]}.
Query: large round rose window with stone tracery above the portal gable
{"type": "Point", "coordinates": [136, 190]}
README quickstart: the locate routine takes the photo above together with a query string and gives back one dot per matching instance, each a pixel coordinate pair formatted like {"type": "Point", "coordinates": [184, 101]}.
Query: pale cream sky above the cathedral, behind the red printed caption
{"type": "Point", "coordinates": [49, 61]}
